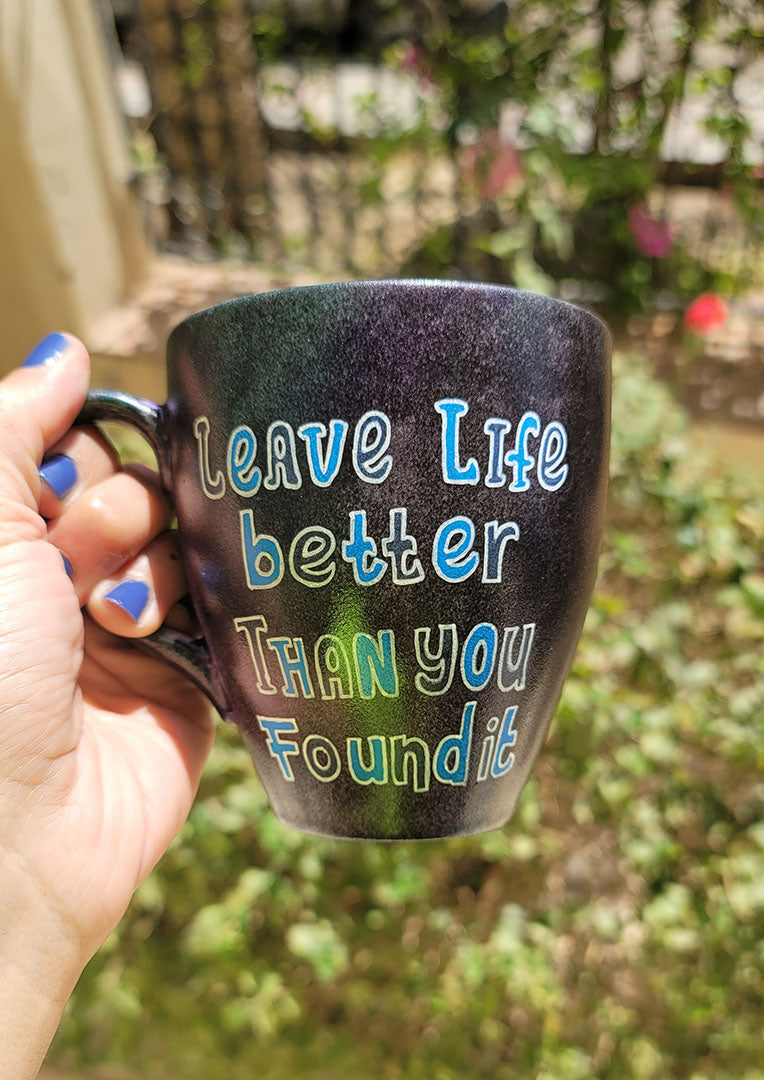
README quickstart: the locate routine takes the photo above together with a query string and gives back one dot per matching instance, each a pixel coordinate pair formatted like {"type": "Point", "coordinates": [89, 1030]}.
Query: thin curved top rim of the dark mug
{"type": "Point", "coordinates": [396, 285]}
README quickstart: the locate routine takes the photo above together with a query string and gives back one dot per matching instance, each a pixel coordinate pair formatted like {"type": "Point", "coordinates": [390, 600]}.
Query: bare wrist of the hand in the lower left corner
{"type": "Point", "coordinates": [42, 958]}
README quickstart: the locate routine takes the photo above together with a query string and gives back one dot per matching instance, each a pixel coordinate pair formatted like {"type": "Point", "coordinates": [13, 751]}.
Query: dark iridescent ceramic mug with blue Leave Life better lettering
{"type": "Point", "coordinates": [391, 498]}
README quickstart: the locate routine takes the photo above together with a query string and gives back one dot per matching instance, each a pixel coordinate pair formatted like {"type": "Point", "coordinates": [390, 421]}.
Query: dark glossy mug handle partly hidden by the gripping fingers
{"type": "Point", "coordinates": [187, 655]}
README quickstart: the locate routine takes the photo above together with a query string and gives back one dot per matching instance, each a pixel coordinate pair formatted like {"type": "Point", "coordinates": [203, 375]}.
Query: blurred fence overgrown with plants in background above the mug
{"type": "Point", "coordinates": [373, 138]}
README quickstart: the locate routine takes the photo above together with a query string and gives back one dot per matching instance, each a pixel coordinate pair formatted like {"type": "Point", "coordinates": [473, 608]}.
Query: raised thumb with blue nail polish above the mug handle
{"type": "Point", "coordinates": [39, 402]}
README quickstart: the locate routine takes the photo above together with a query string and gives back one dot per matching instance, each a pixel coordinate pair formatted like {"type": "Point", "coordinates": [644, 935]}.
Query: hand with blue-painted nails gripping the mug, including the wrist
{"type": "Point", "coordinates": [101, 747]}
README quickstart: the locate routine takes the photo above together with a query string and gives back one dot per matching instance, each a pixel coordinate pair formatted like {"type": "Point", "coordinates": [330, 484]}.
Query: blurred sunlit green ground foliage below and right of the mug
{"type": "Point", "coordinates": [614, 929]}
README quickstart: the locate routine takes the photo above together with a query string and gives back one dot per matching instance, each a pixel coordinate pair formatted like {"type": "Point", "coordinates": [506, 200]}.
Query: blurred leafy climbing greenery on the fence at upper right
{"type": "Point", "coordinates": [592, 140]}
